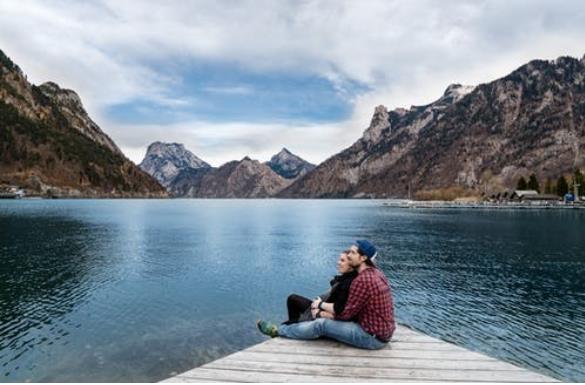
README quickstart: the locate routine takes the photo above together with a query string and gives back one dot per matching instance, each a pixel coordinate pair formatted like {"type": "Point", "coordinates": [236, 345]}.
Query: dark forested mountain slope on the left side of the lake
{"type": "Point", "coordinates": [50, 146]}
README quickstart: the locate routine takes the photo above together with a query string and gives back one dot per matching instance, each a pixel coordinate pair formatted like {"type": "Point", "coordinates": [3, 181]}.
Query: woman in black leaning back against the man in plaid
{"type": "Point", "coordinates": [299, 307]}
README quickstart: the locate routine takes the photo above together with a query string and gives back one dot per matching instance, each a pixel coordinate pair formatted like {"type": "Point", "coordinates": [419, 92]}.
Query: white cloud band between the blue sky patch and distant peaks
{"type": "Point", "coordinates": [218, 143]}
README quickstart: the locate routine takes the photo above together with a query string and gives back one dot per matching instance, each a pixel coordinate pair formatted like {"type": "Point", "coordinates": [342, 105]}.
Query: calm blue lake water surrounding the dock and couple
{"type": "Point", "coordinates": [139, 290]}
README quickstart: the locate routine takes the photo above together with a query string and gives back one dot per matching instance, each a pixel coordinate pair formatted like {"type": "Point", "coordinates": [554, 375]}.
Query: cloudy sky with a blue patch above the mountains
{"type": "Point", "coordinates": [246, 78]}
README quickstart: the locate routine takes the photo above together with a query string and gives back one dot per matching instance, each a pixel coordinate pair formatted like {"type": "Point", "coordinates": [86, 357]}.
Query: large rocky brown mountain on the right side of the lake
{"type": "Point", "coordinates": [476, 139]}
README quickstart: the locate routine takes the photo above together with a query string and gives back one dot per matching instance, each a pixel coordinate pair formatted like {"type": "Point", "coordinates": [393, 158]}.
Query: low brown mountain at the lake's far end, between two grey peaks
{"type": "Point", "coordinates": [246, 178]}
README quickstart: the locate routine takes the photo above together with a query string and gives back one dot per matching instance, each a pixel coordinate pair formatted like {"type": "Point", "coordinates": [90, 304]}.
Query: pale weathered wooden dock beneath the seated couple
{"type": "Point", "coordinates": [410, 357]}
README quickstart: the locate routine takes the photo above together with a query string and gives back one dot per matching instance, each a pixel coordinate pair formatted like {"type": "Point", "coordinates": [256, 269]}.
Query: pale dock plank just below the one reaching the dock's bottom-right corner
{"type": "Point", "coordinates": [263, 376]}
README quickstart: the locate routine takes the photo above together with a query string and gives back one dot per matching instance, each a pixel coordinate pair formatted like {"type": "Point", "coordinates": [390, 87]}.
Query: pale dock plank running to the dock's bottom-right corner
{"type": "Point", "coordinates": [379, 373]}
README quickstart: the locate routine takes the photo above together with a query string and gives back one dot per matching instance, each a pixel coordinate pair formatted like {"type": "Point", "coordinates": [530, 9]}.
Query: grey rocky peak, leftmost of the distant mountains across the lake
{"type": "Point", "coordinates": [165, 161]}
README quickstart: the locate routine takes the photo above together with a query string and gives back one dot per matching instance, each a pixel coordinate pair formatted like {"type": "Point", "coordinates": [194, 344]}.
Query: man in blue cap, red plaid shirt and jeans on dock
{"type": "Point", "coordinates": [369, 304]}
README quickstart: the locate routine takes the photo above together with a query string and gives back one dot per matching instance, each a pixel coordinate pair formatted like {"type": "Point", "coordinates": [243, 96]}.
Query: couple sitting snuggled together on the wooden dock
{"type": "Point", "coordinates": [358, 309]}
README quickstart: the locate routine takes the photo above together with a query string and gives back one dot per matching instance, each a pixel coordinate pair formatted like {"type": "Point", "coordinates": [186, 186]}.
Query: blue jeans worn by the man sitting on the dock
{"type": "Point", "coordinates": [347, 332]}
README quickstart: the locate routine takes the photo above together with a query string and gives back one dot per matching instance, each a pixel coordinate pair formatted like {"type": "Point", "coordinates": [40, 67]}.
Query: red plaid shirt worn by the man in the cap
{"type": "Point", "coordinates": [370, 302]}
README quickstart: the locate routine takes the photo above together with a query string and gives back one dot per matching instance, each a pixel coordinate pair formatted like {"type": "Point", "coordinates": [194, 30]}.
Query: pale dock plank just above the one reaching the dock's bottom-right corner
{"type": "Point", "coordinates": [372, 362]}
